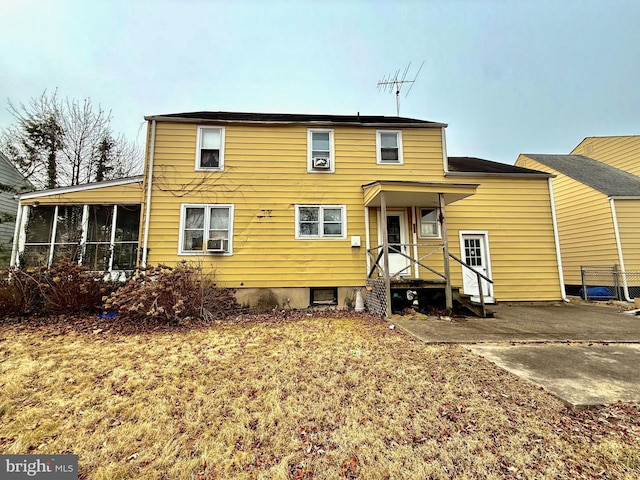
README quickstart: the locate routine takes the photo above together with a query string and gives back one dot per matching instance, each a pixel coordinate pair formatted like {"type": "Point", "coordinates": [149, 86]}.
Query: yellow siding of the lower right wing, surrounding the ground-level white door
{"type": "Point", "coordinates": [516, 214]}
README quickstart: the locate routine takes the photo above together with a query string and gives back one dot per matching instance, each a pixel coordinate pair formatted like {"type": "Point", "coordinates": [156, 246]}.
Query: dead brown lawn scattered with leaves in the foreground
{"type": "Point", "coordinates": [314, 398]}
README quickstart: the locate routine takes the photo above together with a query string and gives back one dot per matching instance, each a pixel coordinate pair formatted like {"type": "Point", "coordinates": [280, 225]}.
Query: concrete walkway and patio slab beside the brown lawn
{"type": "Point", "coordinates": [586, 355]}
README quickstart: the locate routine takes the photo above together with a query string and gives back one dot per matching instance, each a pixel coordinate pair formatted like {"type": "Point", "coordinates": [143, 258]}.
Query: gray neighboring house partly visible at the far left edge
{"type": "Point", "coordinates": [11, 183]}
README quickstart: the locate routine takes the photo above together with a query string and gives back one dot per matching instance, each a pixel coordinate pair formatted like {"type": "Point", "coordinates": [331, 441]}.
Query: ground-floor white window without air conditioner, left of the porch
{"type": "Point", "coordinates": [320, 221]}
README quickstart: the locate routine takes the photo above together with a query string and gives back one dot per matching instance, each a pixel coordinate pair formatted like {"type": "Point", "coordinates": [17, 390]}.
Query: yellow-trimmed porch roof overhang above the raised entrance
{"type": "Point", "coordinates": [406, 194]}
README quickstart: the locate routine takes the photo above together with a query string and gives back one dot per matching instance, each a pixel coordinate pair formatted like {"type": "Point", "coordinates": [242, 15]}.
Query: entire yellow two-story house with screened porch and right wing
{"type": "Point", "coordinates": [311, 207]}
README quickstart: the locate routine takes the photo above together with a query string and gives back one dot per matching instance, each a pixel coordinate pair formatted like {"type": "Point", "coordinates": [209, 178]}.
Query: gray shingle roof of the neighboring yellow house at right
{"type": "Point", "coordinates": [600, 176]}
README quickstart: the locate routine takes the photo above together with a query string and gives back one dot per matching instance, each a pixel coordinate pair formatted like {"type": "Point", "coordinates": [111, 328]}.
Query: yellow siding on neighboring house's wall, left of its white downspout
{"type": "Point", "coordinates": [585, 225]}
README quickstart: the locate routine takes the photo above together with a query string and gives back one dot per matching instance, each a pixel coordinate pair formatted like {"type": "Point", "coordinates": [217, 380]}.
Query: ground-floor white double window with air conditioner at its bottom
{"type": "Point", "coordinates": [206, 229]}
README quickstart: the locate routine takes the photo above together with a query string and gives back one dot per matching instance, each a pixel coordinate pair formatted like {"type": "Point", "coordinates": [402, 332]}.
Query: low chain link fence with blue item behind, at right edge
{"type": "Point", "coordinates": [608, 282]}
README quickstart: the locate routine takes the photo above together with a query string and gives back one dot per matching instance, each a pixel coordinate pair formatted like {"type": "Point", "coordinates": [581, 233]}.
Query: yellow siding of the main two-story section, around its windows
{"type": "Point", "coordinates": [265, 180]}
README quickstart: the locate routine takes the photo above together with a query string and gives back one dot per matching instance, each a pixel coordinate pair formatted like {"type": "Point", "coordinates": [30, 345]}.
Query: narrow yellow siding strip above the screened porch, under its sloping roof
{"type": "Point", "coordinates": [108, 195]}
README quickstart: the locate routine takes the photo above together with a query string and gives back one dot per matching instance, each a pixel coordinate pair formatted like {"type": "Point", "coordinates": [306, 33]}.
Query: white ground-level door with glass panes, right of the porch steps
{"type": "Point", "coordinates": [475, 253]}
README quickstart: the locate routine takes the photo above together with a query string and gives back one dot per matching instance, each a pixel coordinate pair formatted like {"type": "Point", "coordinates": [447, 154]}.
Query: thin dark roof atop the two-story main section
{"type": "Point", "coordinates": [291, 118]}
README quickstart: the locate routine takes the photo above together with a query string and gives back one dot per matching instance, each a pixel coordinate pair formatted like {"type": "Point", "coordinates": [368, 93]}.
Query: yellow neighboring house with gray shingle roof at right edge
{"type": "Point", "coordinates": [598, 208]}
